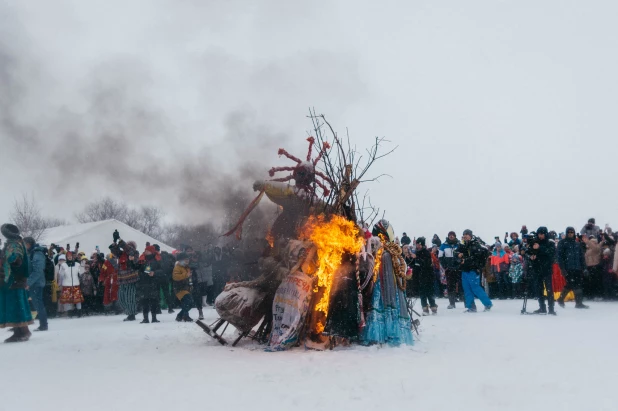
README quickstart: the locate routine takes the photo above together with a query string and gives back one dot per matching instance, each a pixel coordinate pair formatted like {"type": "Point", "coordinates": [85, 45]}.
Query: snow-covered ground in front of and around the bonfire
{"type": "Point", "coordinates": [486, 361]}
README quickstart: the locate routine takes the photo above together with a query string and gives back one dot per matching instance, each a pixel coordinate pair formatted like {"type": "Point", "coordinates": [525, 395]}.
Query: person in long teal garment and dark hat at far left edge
{"type": "Point", "coordinates": [14, 307]}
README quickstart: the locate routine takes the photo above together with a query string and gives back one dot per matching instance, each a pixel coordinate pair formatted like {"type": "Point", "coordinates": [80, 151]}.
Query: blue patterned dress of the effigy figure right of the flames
{"type": "Point", "coordinates": [388, 320]}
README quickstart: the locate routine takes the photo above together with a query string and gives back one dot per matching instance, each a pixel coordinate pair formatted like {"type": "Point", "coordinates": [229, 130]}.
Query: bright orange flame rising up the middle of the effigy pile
{"type": "Point", "coordinates": [332, 238]}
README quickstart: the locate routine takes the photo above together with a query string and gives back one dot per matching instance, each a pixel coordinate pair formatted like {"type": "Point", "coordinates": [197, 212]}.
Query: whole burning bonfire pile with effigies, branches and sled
{"type": "Point", "coordinates": [325, 278]}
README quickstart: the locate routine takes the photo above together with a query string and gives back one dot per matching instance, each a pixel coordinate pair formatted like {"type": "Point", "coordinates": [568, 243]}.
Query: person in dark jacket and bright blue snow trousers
{"type": "Point", "coordinates": [473, 257]}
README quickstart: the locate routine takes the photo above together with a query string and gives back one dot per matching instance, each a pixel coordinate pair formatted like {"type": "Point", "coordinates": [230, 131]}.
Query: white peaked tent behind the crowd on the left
{"type": "Point", "coordinates": [99, 233]}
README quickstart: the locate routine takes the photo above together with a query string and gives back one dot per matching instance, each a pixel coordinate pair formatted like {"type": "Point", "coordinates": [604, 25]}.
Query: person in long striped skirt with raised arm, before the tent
{"type": "Point", "coordinates": [128, 276]}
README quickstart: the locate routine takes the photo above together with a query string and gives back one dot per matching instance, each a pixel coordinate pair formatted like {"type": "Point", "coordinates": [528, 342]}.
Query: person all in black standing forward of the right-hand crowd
{"type": "Point", "coordinates": [542, 256]}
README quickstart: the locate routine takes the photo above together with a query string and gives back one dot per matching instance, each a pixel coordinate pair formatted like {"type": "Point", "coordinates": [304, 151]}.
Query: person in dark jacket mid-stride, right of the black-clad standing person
{"type": "Point", "coordinates": [572, 263]}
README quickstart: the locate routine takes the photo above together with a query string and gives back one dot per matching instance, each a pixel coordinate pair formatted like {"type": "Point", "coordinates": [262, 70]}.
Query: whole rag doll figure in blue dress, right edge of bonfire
{"type": "Point", "coordinates": [388, 321]}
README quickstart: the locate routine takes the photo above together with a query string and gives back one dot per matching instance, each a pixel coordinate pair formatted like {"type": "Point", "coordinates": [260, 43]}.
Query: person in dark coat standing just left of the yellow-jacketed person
{"type": "Point", "coordinates": [150, 272]}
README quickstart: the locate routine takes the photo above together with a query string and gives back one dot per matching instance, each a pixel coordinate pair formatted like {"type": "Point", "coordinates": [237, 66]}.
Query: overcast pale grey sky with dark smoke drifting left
{"type": "Point", "coordinates": [503, 111]}
